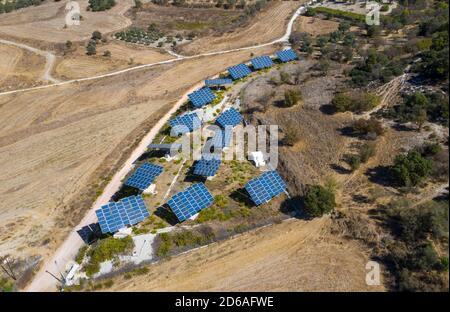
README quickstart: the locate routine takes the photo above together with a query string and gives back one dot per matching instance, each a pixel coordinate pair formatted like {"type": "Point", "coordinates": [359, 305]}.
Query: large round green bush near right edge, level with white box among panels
{"type": "Point", "coordinates": [411, 169]}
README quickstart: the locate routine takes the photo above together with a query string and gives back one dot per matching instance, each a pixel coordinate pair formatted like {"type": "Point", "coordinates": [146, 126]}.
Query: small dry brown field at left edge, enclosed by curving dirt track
{"type": "Point", "coordinates": [19, 68]}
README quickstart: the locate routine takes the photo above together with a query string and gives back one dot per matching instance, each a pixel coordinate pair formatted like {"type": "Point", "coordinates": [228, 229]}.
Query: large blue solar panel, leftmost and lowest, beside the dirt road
{"type": "Point", "coordinates": [116, 215]}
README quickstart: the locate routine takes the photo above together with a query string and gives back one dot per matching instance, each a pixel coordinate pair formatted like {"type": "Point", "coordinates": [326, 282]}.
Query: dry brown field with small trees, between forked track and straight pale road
{"type": "Point", "coordinates": [79, 65]}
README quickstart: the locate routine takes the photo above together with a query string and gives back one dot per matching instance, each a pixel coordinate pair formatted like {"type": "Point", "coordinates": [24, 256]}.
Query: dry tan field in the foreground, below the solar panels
{"type": "Point", "coordinates": [291, 256]}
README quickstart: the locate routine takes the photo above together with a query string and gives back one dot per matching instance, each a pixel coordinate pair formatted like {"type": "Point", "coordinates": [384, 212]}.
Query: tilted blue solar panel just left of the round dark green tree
{"type": "Point", "coordinates": [263, 188]}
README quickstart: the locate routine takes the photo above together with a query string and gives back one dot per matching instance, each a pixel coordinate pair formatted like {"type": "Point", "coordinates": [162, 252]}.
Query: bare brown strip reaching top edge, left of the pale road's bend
{"type": "Point", "coordinates": [261, 30]}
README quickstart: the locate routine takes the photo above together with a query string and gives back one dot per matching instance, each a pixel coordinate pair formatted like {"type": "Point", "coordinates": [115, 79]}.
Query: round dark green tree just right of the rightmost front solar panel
{"type": "Point", "coordinates": [319, 201]}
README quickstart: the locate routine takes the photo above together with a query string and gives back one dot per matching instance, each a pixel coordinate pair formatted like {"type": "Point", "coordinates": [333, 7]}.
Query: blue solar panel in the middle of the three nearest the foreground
{"type": "Point", "coordinates": [189, 202]}
